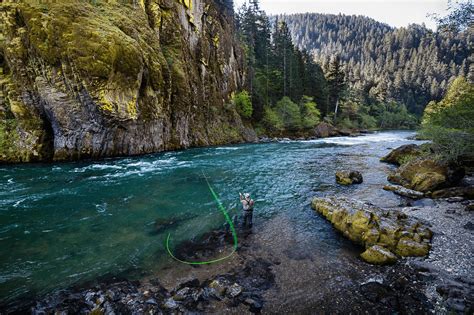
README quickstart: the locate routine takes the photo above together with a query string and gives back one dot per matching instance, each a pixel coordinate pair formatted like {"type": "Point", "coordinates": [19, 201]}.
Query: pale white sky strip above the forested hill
{"type": "Point", "coordinates": [393, 12]}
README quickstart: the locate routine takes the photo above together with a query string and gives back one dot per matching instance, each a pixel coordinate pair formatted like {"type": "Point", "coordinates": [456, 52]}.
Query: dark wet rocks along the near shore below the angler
{"type": "Point", "coordinates": [241, 287]}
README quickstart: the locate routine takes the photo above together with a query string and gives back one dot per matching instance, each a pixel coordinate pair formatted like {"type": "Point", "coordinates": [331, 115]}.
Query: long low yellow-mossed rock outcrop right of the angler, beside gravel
{"type": "Point", "coordinates": [384, 234]}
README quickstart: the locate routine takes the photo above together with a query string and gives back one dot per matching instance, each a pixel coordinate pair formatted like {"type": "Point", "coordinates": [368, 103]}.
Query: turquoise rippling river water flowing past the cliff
{"type": "Point", "coordinates": [67, 223]}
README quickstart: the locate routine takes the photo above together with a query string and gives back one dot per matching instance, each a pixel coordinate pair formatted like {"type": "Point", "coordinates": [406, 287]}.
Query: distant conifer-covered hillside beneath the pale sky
{"type": "Point", "coordinates": [410, 65]}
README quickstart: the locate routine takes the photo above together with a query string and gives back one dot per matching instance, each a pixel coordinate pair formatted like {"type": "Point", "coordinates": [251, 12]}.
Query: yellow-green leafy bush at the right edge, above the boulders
{"type": "Point", "coordinates": [449, 123]}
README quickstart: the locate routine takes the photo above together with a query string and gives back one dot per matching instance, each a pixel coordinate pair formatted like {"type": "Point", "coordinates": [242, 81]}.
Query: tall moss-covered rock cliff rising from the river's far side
{"type": "Point", "coordinates": [89, 79]}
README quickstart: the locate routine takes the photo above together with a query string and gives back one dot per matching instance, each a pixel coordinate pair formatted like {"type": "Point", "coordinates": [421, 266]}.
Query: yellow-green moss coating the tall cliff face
{"type": "Point", "coordinates": [134, 64]}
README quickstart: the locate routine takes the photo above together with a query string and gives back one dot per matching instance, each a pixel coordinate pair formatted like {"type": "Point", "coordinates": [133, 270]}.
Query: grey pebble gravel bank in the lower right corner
{"type": "Point", "coordinates": [448, 269]}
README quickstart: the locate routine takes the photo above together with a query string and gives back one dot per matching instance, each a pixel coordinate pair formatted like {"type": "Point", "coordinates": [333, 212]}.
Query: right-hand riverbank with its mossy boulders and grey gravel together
{"type": "Point", "coordinates": [446, 269]}
